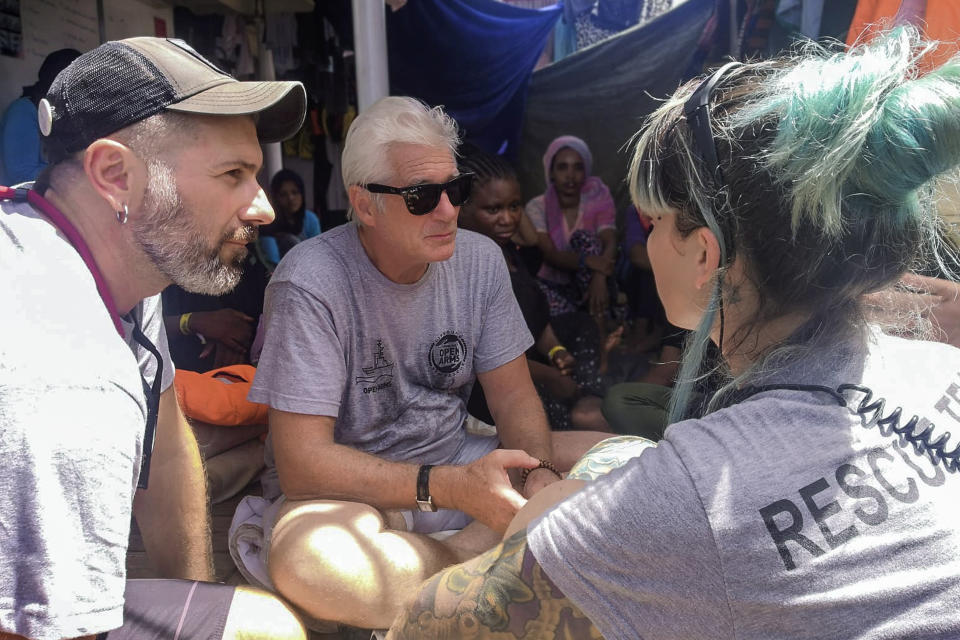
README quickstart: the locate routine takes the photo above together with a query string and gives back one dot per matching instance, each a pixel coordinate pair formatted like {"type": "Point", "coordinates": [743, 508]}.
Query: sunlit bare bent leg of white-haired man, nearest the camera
{"type": "Point", "coordinates": [339, 561]}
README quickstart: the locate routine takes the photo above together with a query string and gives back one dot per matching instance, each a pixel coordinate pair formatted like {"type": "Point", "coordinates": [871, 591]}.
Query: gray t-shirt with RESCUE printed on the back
{"type": "Point", "coordinates": [779, 517]}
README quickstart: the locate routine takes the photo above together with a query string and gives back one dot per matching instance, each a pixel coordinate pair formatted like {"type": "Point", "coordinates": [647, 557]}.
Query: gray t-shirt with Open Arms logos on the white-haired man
{"type": "Point", "coordinates": [394, 363]}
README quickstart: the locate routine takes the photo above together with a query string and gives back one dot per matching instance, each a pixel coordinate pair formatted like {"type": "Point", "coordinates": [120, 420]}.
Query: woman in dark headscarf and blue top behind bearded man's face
{"type": "Point", "coordinates": [293, 222]}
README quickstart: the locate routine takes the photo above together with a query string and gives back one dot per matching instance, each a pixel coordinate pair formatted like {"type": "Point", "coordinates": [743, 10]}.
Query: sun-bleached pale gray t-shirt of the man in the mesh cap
{"type": "Point", "coordinates": [72, 416]}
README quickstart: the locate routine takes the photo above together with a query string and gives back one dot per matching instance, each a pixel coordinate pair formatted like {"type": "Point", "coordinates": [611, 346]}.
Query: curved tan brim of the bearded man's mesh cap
{"type": "Point", "coordinates": [281, 105]}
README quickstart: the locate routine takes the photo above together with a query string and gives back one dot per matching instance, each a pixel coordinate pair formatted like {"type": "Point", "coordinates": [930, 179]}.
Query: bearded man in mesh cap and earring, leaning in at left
{"type": "Point", "coordinates": [153, 157]}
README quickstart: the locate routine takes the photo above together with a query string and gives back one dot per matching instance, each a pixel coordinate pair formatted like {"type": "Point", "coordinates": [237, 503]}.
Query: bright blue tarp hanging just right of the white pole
{"type": "Point", "coordinates": [474, 57]}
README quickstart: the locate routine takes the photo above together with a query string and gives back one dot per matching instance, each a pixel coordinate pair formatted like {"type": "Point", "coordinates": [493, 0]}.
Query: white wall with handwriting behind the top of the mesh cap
{"type": "Point", "coordinates": [55, 24]}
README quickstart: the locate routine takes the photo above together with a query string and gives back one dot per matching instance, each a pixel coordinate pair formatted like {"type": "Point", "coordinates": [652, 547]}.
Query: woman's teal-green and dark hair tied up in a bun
{"type": "Point", "coordinates": [829, 162]}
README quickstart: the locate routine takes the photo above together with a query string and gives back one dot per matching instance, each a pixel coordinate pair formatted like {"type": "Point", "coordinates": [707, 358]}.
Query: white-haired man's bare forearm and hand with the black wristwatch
{"type": "Point", "coordinates": [312, 466]}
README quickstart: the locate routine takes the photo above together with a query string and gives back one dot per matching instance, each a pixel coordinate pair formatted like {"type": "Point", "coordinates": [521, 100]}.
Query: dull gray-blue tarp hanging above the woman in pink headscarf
{"type": "Point", "coordinates": [602, 94]}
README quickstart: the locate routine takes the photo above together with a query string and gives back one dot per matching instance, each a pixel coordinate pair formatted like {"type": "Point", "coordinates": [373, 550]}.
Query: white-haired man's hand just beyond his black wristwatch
{"type": "Point", "coordinates": [483, 489]}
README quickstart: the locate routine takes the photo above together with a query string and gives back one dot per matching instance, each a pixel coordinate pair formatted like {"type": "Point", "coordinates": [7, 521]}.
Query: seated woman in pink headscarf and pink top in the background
{"type": "Point", "coordinates": [576, 224]}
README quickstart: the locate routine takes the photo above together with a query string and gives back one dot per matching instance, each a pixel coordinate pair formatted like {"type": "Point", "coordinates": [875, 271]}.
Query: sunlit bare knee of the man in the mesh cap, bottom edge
{"type": "Point", "coordinates": [258, 614]}
